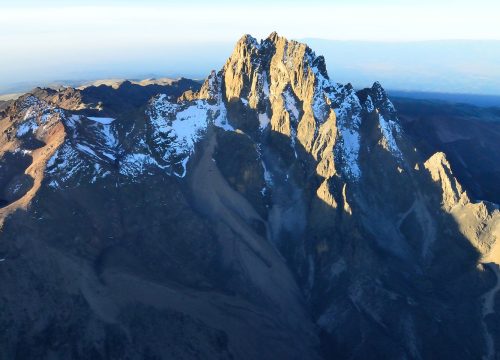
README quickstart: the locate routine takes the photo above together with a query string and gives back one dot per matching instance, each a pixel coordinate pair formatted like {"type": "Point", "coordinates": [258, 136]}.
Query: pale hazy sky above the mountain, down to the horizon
{"type": "Point", "coordinates": [411, 46]}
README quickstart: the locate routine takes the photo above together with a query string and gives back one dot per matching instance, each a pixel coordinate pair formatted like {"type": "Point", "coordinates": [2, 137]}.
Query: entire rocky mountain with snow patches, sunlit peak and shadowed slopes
{"type": "Point", "coordinates": [268, 213]}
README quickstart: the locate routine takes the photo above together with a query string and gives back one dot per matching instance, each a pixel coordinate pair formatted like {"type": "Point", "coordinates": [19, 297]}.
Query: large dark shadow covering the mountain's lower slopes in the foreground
{"type": "Point", "coordinates": [226, 263]}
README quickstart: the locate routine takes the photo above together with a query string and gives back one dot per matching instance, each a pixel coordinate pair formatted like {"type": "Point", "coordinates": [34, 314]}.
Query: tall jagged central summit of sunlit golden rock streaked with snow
{"type": "Point", "coordinates": [288, 90]}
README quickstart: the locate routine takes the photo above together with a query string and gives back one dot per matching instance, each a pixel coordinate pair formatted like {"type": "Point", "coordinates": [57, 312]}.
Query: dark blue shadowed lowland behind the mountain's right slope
{"type": "Point", "coordinates": [467, 134]}
